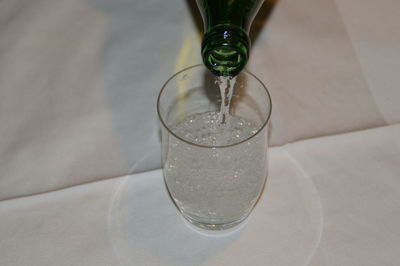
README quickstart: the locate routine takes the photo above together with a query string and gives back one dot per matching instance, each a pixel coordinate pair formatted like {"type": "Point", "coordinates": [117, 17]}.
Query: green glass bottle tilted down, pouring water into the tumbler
{"type": "Point", "coordinates": [226, 43]}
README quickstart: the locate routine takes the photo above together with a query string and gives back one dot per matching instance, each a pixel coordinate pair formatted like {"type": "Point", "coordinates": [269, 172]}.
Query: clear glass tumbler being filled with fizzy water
{"type": "Point", "coordinates": [214, 173]}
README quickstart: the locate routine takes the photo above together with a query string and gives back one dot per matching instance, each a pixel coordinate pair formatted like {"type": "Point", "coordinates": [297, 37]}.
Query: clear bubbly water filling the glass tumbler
{"type": "Point", "coordinates": [218, 181]}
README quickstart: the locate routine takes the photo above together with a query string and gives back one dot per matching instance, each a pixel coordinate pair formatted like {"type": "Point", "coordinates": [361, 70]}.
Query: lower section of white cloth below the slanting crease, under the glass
{"type": "Point", "coordinates": [328, 201]}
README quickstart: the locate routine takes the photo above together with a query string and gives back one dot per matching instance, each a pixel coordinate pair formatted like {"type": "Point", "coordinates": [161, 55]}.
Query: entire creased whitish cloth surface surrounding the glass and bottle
{"type": "Point", "coordinates": [80, 149]}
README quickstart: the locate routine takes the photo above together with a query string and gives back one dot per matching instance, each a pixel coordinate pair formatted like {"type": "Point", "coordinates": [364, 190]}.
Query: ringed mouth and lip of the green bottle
{"type": "Point", "coordinates": [225, 50]}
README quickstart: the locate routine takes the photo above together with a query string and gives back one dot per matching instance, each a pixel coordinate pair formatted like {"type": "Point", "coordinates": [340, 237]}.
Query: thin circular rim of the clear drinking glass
{"type": "Point", "coordinates": [213, 146]}
